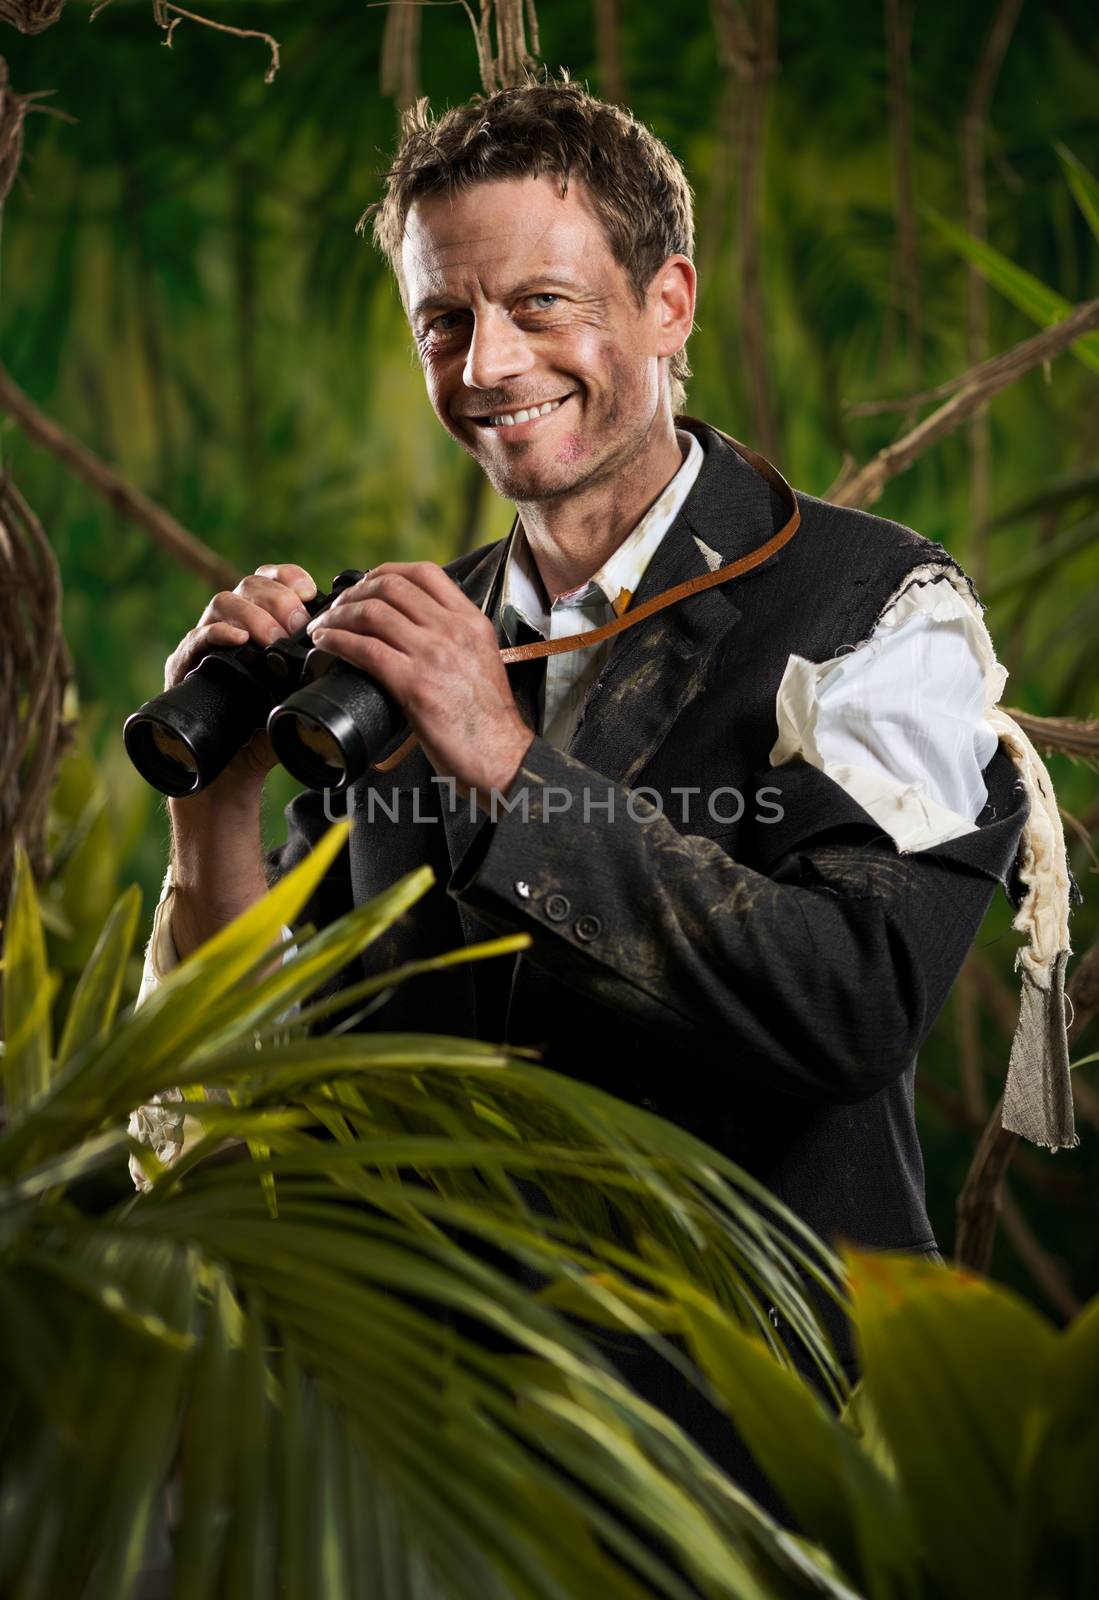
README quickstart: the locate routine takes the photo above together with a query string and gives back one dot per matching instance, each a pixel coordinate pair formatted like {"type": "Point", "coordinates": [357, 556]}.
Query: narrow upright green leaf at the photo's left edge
{"type": "Point", "coordinates": [28, 994]}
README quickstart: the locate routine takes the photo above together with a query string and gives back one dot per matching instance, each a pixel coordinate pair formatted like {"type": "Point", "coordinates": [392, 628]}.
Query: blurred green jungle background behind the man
{"type": "Point", "coordinates": [183, 292]}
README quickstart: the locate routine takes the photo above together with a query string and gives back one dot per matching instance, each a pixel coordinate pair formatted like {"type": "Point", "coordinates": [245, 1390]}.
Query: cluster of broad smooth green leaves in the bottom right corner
{"type": "Point", "coordinates": [967, 1460]}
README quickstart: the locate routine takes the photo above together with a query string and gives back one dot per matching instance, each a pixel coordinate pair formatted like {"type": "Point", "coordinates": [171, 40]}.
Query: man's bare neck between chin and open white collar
{"type": "Point", "coordinates": [575, 535]}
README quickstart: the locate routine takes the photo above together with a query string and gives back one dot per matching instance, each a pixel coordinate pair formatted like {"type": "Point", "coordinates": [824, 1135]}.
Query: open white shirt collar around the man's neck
{"type": "Point", "coordinates": [618, 580]}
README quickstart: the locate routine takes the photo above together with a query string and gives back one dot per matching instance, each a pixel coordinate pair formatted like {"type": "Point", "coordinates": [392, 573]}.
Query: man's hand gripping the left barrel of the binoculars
{"type": "Point", "coordinates": [265, 607]}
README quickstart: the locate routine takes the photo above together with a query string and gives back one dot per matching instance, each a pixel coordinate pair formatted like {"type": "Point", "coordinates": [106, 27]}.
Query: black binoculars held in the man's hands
{"type": "Point", "coordinates": [326, 719]}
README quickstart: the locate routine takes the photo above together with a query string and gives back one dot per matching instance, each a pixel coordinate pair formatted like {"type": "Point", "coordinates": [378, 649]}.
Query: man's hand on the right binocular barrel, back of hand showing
{"type": "Point", "coordinates": [414, 630]}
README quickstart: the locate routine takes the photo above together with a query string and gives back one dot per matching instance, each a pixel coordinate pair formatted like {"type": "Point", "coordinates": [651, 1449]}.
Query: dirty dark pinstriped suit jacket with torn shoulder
{"type": "Point", "coordinates": [765, 982]}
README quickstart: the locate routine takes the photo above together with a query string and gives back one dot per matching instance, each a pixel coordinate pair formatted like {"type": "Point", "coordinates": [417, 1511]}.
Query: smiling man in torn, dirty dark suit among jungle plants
{"type": "Point", "coordinates": [754, 836]}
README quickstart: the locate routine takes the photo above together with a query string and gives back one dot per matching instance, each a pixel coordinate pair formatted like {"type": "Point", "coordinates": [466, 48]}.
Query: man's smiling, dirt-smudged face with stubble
{"type": "Point", "coordinates": [518, 305]}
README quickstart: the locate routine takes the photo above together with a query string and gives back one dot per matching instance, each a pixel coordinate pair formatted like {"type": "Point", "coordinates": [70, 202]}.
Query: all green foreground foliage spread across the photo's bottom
{"type": "Point", "coordinates": [345, 1394]}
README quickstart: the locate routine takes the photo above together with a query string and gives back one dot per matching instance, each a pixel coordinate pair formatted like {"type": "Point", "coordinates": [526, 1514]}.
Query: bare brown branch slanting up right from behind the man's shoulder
{"type": "Point", "coordinates": [866, 486]}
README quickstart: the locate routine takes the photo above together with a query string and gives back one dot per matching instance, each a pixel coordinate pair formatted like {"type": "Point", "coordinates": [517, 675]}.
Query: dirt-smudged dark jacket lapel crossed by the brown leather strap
{"type": "Point", "coordinates": [657, 670]}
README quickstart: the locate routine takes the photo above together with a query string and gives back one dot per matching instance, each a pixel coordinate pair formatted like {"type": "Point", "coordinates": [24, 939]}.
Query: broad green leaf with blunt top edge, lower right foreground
{"type": "Point", "coordinates": [953, 1364]}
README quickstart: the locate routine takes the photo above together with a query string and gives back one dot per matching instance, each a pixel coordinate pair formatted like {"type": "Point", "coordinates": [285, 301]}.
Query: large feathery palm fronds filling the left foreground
{"type": "Point", "coordinates": [281, 1346]}
